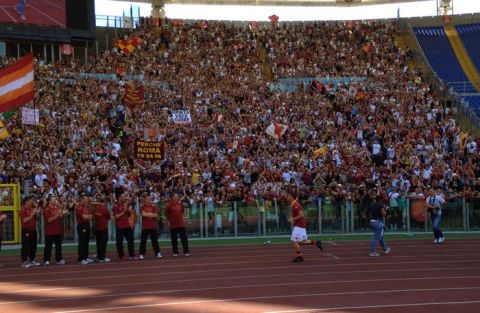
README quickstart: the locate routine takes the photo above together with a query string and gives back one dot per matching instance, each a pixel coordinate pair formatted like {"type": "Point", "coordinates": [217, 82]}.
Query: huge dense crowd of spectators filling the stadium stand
{"type": "Point", "coordinates": [389, 135]}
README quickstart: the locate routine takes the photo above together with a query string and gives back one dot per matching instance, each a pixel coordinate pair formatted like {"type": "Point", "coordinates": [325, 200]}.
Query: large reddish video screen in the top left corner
{"type": "Point", "coordinates": [41, 12]}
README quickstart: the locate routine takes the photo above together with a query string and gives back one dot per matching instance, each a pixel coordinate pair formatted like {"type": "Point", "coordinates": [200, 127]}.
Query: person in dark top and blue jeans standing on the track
{"type": "Point", "coordinates": [378, 211]}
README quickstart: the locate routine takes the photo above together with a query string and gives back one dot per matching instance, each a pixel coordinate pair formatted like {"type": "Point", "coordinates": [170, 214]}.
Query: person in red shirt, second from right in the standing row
{"type": "Point", "coordinates": [149, 228]}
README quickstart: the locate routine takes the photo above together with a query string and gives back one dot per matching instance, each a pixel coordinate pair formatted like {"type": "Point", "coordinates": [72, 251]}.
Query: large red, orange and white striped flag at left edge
{"type": "Point", "coordinates": [16, 84]}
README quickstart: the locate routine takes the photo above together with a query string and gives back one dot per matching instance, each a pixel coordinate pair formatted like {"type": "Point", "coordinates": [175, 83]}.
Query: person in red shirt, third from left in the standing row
{"type": "Point", "coordinates": [83, 216]}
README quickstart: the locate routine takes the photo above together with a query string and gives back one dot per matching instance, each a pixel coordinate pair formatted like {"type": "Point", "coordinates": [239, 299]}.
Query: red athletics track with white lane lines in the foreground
{"type": "Point", "coordinates": [416, 277]}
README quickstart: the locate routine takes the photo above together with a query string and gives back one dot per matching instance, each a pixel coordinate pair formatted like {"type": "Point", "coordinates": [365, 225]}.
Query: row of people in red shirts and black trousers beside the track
{"type": "Point", "coordinates": [95, 212]}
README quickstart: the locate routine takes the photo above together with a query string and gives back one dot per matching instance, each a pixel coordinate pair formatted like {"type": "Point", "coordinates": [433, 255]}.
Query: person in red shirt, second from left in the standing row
{"type": "Point", "coordinates": [53, 215]}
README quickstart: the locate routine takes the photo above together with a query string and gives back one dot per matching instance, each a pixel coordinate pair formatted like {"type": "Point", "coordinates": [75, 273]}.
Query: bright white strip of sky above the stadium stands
{"type": "Point", "coordinates": [286, 13]}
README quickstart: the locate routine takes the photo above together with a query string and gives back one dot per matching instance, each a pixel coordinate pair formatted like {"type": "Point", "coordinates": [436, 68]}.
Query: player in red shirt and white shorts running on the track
{"type": "Point", "coordinates": [299, 233]}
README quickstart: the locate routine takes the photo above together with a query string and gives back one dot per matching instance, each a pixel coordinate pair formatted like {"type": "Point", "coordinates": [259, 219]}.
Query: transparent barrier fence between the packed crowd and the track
{"type": "Point", "coordinates": [264, 217]}
